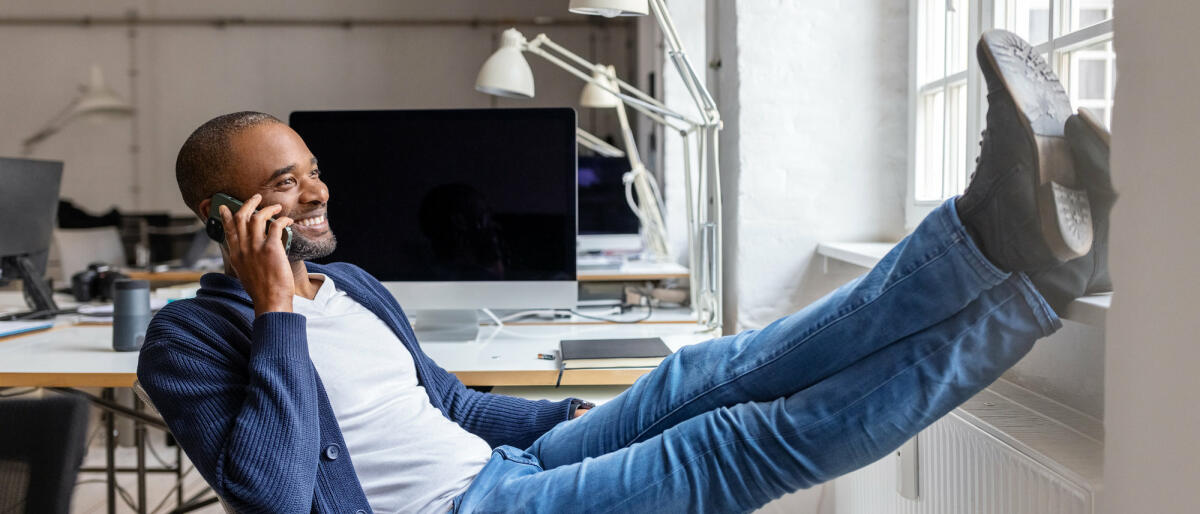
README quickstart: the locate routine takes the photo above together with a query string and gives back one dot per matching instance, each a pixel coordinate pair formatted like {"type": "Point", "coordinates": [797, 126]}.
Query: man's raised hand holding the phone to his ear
{"type": "Point", "coordinates": [257, 255]}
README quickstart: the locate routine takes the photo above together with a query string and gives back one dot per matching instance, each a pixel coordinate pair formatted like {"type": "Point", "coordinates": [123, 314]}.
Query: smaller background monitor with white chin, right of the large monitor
{"type": "Point", "coordinates": [607, 223]}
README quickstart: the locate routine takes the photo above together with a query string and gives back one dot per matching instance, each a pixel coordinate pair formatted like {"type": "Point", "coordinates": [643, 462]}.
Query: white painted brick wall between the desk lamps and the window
{"type": "Point", "coordinates": [821, 117]}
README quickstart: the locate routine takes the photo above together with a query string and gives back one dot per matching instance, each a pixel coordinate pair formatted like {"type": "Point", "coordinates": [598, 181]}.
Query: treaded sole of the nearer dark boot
{"type": "Point", "coordinates": [1064, 211]}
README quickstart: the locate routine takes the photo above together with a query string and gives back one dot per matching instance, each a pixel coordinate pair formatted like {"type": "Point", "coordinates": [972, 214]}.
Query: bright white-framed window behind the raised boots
{"type": "Point", "coordinates": [949, 99]}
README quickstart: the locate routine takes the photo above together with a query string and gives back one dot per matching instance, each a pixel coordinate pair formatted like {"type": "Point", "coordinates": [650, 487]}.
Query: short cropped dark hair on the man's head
{"type": "Point", "coordinates": [207, 157]}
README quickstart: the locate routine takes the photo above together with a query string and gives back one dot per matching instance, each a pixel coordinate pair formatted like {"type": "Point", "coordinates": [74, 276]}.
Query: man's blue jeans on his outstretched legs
{"type": "Point", "coordinates": [734, 423]}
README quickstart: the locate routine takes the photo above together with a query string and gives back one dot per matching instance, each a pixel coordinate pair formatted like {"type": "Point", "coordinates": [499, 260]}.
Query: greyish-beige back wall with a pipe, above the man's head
{"type": "Point", "coordinates": [188, 75]}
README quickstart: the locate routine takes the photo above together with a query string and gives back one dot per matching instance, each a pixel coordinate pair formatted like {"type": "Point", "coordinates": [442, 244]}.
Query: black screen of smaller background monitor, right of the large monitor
{"type": "Point", "coordinates": [603, 205]}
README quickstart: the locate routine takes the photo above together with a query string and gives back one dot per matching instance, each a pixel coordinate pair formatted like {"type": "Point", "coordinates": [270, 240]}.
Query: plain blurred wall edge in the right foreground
{"type": "Point", "coordinates": [1151, 422]}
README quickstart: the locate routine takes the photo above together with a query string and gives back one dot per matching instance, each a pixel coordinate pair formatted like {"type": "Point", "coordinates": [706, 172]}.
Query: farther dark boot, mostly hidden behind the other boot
{"type": "Point", "coordinates": [1089, 274]}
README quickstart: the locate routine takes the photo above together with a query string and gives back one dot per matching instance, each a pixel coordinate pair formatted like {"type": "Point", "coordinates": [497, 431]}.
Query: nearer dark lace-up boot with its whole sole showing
{"type": "Point", "coordinates": [1025, 207]}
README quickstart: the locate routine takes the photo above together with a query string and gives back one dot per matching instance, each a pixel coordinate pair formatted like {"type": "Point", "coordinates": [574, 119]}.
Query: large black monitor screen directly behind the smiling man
{"type": "Point", "coordinates": [460, 195]}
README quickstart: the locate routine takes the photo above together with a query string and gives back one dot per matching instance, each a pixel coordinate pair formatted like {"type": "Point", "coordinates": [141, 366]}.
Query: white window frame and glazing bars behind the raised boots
{"type": "Point", "coordinates": [981, 17]}
